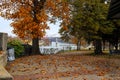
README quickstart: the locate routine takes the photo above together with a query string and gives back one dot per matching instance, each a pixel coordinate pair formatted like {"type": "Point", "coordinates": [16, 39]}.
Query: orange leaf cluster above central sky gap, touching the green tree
{"type": "Point", "coordinates": [59, 9]}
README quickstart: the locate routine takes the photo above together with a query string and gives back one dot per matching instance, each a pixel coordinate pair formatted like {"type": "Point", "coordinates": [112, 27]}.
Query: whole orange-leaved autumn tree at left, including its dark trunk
{"type": "Point", "coordinates": [30, 17]}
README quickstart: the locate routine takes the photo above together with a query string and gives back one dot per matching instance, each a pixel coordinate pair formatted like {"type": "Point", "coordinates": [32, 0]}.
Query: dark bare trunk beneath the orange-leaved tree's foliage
{"type": "Point", "coordinates": [35, 46]}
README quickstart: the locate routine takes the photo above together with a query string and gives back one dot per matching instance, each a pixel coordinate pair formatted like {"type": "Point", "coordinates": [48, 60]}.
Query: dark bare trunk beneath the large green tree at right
{"type": "Point", "coordinates": [98, 46]}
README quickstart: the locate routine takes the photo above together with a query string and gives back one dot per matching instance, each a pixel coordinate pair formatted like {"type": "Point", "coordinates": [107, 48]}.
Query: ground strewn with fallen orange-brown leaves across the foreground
{"type": "Point", "coordinates": [65, 66]}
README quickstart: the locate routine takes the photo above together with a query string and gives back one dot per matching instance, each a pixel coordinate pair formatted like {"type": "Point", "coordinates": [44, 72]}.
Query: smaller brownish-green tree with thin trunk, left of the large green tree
{"type": "Point", "coordinates": [72, 34]}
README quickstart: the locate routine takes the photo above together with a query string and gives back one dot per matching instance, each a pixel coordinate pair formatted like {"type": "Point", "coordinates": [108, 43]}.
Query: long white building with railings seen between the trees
{"type": "Point", "coordinates": [56, 46]}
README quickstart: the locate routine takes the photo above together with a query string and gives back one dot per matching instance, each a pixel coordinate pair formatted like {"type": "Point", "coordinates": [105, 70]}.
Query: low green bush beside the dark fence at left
{"type": "Point", "coordinates": [17, 45]}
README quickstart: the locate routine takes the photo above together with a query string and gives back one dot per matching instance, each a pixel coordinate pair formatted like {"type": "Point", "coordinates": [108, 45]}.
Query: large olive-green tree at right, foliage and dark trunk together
{"type": "Point", "coordinates": [90, 18]}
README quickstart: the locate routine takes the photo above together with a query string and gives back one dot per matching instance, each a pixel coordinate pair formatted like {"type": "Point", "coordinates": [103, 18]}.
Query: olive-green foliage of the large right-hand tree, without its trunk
{"type": "Point", "coordinates": [92, 16]}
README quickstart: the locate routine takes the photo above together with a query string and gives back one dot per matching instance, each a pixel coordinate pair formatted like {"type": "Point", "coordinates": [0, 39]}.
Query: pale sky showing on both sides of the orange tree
{"type": "Point", "coordinates": [6, 28]}
